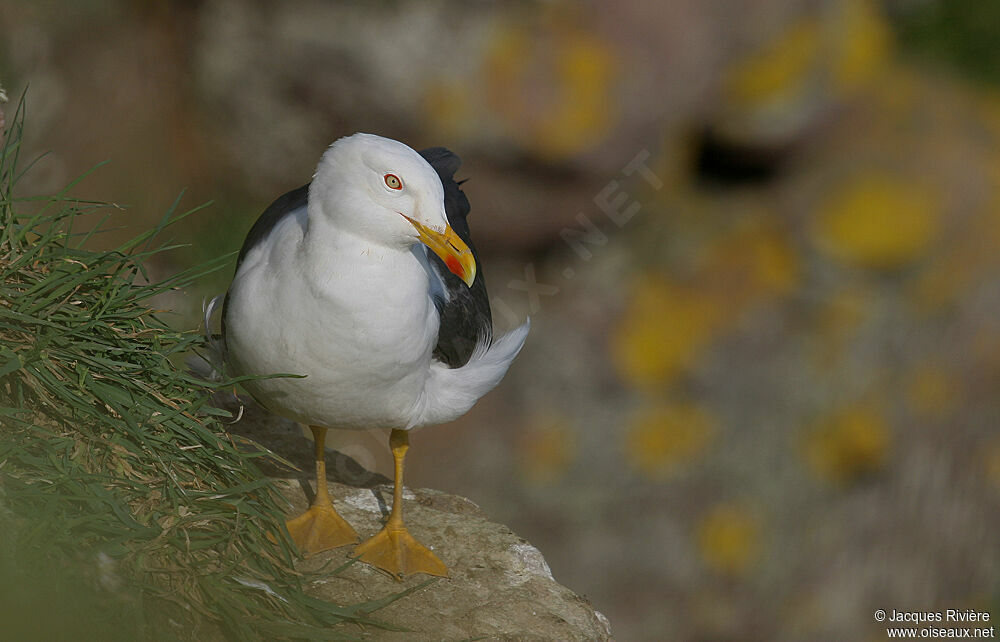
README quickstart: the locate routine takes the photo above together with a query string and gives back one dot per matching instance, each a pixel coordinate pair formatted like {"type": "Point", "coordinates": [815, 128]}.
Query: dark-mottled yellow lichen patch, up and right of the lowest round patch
{"type": "Point", "coordinates": [848, 445]}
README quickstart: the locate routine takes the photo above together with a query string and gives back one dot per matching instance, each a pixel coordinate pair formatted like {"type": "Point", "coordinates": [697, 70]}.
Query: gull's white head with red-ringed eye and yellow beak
{"type": "Point", "coordinates": [385, 192]}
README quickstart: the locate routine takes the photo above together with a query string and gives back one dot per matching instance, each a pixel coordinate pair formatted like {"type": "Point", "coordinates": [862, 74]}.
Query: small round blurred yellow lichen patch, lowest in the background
{"type": "Point", "coordinates": [729, 538]}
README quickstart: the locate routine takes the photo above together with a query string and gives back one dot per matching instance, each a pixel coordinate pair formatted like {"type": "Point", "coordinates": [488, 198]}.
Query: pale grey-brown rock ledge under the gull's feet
{"type": "Point", "coordinates": [500, 587]}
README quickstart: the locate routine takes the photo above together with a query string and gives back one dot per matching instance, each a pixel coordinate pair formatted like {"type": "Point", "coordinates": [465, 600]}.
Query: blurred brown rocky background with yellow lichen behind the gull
{"type": "Point", "coordinates": [758, 240]}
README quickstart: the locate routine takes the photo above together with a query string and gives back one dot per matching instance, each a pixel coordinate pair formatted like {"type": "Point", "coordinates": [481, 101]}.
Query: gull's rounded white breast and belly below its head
{"type": "Point", "coordinates": [355, 319]}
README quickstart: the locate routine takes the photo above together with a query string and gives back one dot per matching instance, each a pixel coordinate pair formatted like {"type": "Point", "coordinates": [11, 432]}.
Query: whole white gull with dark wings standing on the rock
{"type": "Point", "coordinates": [365, 282]}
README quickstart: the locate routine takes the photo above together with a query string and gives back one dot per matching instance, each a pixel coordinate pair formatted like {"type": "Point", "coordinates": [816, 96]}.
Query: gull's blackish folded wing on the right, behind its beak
{"type": "Point", "coordinates": [465, 312]}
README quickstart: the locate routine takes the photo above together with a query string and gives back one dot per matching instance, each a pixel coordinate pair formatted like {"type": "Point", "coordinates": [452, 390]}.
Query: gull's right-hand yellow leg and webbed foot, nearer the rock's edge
{"type": "Point", "coordinates": [393, 549]}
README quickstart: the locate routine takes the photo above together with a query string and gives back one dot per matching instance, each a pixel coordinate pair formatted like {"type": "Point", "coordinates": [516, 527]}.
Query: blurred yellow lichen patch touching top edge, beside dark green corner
{"type": "Point", "coordinates": [863, 41]}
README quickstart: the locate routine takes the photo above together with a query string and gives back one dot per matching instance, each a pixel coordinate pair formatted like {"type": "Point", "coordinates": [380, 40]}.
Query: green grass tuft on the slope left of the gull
{"type": "Point", "coordinates": [126, 511]}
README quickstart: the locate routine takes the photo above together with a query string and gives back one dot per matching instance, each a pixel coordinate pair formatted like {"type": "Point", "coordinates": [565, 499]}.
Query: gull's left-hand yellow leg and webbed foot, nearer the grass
{"type": "Point", "coordinates": [320, 528]}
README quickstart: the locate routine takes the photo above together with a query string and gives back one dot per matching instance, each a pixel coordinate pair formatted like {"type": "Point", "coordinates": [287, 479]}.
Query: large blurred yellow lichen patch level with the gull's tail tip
{"type": "Point", "coordinates": [665, 327]}
